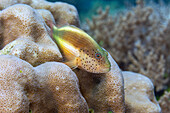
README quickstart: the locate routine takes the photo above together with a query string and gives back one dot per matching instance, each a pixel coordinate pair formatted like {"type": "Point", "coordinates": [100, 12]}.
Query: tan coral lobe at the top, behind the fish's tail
{"type": "Point", "coordinates": [63, 13]}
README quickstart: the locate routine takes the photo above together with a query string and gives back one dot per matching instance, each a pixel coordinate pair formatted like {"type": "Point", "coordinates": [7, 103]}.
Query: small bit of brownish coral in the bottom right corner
{"type": "Point", "coordinates": [164, 102]}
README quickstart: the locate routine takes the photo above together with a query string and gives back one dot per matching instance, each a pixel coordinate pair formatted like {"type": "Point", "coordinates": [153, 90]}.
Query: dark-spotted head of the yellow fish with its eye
{"type": "Point", "coordinates": [94, 60]}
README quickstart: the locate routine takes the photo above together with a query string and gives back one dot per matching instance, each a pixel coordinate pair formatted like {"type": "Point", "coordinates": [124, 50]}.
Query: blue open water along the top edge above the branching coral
{"type": "Point", "coordinates": [88, 8]}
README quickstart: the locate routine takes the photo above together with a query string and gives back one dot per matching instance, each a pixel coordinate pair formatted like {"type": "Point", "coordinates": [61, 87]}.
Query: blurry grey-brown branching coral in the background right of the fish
{"type": "Point", "coordinates": [138, 40]}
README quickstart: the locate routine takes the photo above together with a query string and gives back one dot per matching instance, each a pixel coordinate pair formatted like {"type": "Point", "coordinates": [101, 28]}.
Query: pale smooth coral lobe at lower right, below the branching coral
{"type": "Point", "coordinates": [139, 94]}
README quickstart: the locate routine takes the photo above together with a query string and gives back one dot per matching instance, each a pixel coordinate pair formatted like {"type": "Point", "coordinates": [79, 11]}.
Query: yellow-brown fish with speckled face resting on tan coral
{"type": "Point", "coordinates": [80, 50]}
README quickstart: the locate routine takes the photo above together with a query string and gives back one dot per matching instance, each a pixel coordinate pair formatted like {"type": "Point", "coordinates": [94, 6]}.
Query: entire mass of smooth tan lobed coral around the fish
{"type": "Point", "coordinates": [33, 77]}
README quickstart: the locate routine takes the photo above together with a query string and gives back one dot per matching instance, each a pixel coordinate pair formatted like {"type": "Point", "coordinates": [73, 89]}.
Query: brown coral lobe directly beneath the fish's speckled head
{"type": "Point", "coordinates": [103, 92]}
